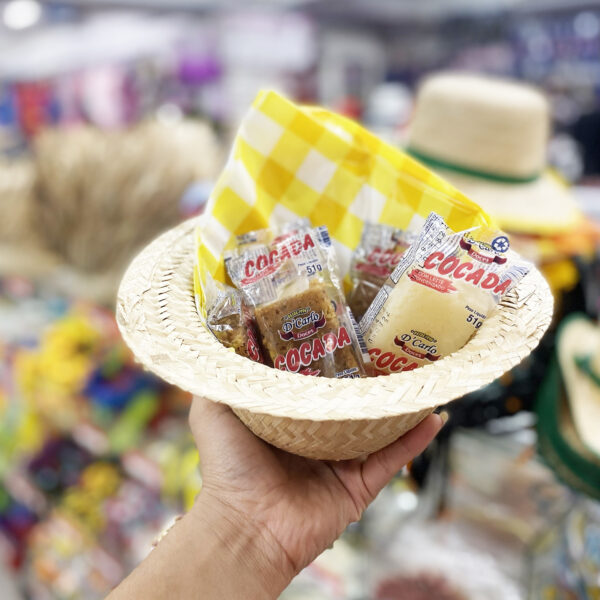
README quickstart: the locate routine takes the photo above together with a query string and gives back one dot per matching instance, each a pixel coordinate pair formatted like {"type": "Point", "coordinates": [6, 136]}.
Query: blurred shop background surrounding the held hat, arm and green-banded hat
{"type": "Point", "coordinates": [115, 120]}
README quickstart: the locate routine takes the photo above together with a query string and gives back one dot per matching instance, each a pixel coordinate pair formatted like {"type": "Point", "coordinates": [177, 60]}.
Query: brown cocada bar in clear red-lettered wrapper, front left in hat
{"type": "Point", "coordinates": [293, 284]}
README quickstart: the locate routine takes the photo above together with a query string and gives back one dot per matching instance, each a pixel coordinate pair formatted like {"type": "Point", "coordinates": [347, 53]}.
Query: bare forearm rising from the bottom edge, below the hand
{"type": "Point", "coordinates": [212, 555]}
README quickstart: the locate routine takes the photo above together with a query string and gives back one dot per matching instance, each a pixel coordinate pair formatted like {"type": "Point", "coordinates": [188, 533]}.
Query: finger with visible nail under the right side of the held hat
{"type": "Point", "coordinates": [381, 466]}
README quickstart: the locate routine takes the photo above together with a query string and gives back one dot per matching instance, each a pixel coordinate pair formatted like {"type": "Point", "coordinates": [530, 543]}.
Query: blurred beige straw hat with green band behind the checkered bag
{"type": "Point", "coordinates": [488, 138]}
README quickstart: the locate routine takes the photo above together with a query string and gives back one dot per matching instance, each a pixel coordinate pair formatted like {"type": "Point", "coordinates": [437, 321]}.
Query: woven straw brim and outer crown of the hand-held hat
{"type": "Point", "coordinates": [311, 416]}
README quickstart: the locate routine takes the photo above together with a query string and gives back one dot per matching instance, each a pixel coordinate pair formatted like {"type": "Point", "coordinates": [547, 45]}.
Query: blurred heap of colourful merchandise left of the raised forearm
{"type": "Point", "coordinates": [95, 455]}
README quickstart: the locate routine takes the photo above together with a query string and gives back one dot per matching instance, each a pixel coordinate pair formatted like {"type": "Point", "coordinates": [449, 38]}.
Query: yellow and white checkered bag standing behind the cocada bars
{"type": "Point", "coordinates": [289, 161]}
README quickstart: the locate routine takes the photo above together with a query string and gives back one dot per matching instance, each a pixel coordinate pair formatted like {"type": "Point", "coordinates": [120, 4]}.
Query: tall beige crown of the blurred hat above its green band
{"type": "Point", "coordinates": [481, 123]}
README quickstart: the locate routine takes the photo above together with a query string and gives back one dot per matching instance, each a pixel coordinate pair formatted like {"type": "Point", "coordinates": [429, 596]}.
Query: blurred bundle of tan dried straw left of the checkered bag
{"type": "Point", "coordinates": [101, 195]}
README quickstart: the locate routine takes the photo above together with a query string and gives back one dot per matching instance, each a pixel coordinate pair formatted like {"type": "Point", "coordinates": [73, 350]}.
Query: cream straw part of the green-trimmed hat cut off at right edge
{"type": "Point", "coordinates": [581, 337]}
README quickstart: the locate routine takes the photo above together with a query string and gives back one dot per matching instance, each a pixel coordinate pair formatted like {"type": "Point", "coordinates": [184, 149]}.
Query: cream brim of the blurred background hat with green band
{"type": "Point", "coordinates": [544, 206]}
